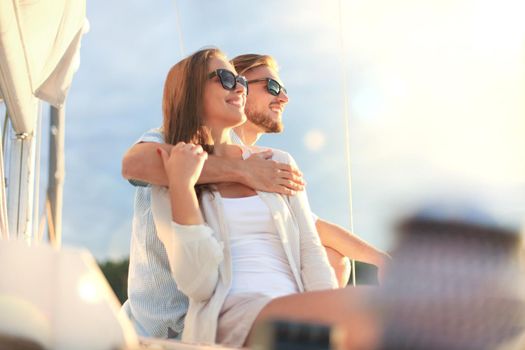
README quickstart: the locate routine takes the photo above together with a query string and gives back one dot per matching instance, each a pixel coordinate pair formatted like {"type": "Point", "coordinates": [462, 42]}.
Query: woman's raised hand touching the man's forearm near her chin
{"type": "Point", "coordinates": [184, 164]}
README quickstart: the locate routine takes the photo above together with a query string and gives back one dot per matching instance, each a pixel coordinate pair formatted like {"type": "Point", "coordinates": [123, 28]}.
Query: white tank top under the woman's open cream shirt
{"type": "Point", "coordinates": [258, 259]}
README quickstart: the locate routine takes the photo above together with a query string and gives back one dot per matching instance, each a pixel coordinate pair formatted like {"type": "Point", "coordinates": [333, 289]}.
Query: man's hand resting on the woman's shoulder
{"type": "Point", "coordinates": [264, 174]}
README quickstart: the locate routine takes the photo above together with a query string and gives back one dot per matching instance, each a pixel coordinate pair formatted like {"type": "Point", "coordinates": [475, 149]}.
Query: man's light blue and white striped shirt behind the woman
{"type": "Point", "coordinates": [155, 305]}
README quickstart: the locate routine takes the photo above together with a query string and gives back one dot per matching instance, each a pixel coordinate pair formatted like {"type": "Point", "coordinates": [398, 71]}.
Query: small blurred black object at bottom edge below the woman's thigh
{"type": "Point", "coordinates": [286, 335]}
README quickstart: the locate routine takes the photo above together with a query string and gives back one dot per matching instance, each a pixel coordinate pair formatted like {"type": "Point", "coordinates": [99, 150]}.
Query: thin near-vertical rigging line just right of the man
{"type": "Point", "coordinates": [346, 118]}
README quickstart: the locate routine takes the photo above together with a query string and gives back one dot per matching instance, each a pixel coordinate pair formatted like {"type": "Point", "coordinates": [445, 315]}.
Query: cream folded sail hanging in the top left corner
{"type": "Point", "coordinates": [39, 53]}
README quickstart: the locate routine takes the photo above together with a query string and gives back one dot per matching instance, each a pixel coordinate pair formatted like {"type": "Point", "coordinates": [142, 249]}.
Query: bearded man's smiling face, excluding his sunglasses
{"type": "Point", "coordinates": [262, 108]}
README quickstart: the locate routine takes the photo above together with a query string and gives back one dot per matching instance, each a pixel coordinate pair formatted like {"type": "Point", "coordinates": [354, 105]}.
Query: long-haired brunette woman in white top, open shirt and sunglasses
{"type": "Point", "coordinates": [240, 256]}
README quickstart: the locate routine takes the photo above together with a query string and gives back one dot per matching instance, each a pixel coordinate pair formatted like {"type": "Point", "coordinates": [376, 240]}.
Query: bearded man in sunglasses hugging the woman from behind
{"type": "Point", "coordinates": [155, 305]}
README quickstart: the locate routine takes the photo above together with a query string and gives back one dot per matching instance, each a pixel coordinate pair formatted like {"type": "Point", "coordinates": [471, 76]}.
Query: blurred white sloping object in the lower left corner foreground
{"type": "Point", "coordinates": [58, 299]}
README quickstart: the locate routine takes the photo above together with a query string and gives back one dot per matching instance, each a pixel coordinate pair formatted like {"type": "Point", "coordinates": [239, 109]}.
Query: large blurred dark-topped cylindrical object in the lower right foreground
{"type": "Point", "coordinates": [454, 285]}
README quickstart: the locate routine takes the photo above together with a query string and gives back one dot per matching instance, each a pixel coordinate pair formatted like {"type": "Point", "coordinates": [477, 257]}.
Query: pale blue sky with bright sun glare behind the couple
{"type": "Point", "coordinates": [422, 101]}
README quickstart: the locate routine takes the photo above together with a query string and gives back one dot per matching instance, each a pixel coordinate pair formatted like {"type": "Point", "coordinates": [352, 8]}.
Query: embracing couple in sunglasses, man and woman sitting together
{"type": "Point", "coordinates": [231, 240]}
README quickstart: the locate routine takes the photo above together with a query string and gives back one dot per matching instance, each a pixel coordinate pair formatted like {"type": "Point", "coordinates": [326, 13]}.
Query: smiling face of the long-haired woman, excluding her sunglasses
{"type": "Point", "coordinates": [223, 108]}
